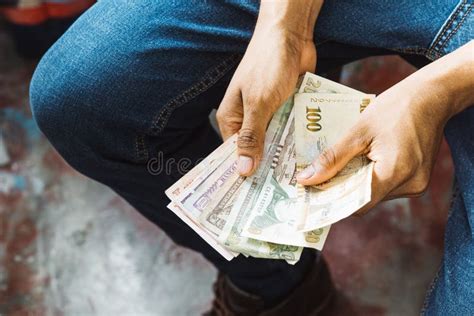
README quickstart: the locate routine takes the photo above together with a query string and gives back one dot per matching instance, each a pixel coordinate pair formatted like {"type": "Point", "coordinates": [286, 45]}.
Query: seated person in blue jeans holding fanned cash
{"type": "Point", "coordinates": [133, 79]}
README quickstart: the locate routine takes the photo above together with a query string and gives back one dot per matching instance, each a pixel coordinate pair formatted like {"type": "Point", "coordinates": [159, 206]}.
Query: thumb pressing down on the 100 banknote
{"type": "Point", "coordinates": [334, 158]}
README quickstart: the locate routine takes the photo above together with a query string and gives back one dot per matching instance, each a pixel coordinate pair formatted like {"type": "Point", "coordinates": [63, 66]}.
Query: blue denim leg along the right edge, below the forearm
{"type": "Point", "coordinates": [452, 293]}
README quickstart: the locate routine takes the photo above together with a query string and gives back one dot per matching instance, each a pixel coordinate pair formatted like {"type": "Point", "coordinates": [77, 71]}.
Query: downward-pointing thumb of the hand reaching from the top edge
{"type": "Point", "coordinates": [251, 138]}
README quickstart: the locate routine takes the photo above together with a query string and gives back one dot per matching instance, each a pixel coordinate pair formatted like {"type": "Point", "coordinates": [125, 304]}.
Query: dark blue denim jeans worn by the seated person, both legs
{"type": "Point", "coordinates": [134, 80]}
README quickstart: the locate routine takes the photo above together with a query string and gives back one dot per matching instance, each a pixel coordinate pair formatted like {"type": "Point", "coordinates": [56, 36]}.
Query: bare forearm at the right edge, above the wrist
{"type": "Point", "coordinates": [451, 78]}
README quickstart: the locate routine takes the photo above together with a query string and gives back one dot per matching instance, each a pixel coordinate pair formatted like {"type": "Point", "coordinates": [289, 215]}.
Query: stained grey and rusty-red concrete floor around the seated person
{"type": "Point", "coordinates": [69, 246]}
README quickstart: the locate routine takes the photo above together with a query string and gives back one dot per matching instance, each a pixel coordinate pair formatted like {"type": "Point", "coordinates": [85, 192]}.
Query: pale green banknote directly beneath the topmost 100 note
{"type": "Point", "coordinates": [274, 208]}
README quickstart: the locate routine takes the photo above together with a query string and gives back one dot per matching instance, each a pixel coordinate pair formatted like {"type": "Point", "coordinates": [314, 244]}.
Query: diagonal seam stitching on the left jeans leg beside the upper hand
{"type": "Point", "coordinates": [209, 79]}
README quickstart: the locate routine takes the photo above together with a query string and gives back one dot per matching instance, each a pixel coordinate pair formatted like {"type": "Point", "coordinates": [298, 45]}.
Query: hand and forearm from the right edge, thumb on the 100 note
{"type": "Point", "coordinates": [402, 130]}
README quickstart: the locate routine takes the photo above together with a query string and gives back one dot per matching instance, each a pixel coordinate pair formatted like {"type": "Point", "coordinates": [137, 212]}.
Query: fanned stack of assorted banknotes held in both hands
{"type": "Point", "coordinates": [270, 215]}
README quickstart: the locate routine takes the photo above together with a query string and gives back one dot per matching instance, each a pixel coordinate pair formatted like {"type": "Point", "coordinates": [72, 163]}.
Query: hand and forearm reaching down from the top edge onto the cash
{"type": "Point", "coordinates": [280, 50]}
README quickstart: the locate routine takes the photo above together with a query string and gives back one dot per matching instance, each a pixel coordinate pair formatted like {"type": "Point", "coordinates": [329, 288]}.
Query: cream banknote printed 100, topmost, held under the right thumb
{"type": "Point", "coordinates": [321, 119]}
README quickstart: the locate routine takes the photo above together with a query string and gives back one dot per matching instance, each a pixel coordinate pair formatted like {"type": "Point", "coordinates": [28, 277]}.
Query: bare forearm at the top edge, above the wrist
{"type": "Point", "coordinates": [298, 17]}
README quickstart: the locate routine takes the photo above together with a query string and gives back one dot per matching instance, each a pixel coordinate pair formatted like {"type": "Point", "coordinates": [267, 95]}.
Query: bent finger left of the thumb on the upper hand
{"type": "Point", "coordinates": [230, 114]}
